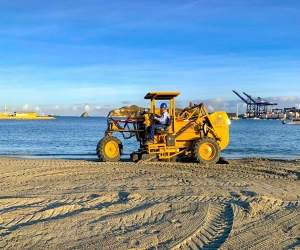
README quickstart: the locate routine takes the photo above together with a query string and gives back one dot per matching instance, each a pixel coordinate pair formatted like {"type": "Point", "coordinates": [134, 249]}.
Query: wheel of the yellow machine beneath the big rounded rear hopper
{"type": "Point", "coordinates": [206, 150]}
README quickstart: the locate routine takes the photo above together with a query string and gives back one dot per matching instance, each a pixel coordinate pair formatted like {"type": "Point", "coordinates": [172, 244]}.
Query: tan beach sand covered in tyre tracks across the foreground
{"type": "Point", "coordinates": [81, 204]}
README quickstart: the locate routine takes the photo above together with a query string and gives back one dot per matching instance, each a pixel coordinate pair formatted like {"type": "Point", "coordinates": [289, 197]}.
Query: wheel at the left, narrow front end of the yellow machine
{"type": "Point", "coordinates": [109, 148]}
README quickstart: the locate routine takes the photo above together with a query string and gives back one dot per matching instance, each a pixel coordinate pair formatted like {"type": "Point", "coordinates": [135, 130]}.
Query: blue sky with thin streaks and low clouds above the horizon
{"type": "Point", "coordinates": [68, 57]}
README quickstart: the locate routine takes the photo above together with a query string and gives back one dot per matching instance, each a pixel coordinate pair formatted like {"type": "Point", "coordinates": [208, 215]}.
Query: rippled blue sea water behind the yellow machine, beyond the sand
{"type": "Point", "coordinates": [77, 138]}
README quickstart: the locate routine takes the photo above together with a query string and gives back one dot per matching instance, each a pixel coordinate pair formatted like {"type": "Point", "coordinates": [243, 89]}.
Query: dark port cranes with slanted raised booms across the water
{"type": "Point", "coordinates": [256, 107]}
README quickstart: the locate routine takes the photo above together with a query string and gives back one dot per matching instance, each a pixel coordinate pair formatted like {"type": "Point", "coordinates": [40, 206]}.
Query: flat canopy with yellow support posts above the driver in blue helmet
{"type": "Point", "coordinates": [153, 96]}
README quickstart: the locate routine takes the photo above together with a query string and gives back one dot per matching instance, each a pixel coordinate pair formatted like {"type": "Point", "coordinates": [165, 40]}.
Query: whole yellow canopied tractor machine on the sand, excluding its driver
{"type": "Point", "coordinates": [192, 133]}
